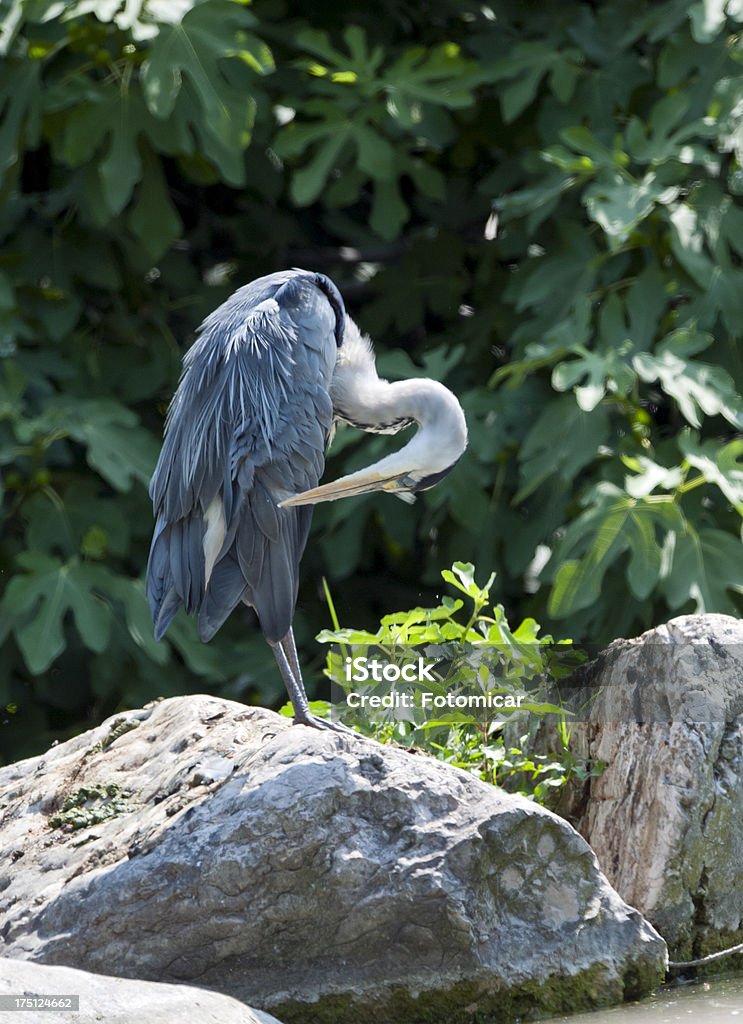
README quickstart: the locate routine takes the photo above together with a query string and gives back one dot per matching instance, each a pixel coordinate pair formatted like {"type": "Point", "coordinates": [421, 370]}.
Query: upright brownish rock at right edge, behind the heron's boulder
{"type": "Point", "coordinates": [666, 820]}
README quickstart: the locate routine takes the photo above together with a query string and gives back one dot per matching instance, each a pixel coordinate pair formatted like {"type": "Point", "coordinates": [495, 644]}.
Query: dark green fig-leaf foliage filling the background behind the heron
{"type": "Point", "coordinates": [539, 205]}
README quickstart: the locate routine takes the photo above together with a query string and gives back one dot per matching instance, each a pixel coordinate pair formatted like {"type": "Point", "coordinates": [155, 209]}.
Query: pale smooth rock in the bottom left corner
{"type": "Point", "coordinates": [116, 1001]}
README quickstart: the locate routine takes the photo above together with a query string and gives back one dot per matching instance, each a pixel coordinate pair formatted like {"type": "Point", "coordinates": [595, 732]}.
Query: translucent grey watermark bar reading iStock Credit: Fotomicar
{"type": "Point", "coordinates": [447, 685]}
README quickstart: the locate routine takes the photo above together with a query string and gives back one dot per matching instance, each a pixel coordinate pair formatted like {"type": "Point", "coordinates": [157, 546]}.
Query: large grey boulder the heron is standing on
{"type": "Point", "coordinates": [322, 877]}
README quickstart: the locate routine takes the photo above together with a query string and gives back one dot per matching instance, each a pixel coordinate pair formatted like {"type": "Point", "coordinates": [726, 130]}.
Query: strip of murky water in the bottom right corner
{"type": "Point", "coordinates": [708, 1003]}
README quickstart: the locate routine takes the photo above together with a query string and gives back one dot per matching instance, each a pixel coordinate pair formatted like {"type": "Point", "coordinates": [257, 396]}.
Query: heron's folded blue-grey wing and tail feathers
{"type": "Point", "coordinates": [247, 426]}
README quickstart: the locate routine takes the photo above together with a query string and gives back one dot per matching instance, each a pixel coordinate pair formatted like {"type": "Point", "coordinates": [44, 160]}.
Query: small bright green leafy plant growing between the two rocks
{"type": "Point", "coordinates": [479, 660]}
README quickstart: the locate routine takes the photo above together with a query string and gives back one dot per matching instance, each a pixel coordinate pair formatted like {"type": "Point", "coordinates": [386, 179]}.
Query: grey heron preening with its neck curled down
{"type": "Point", "coordinates": [244, 451]}
